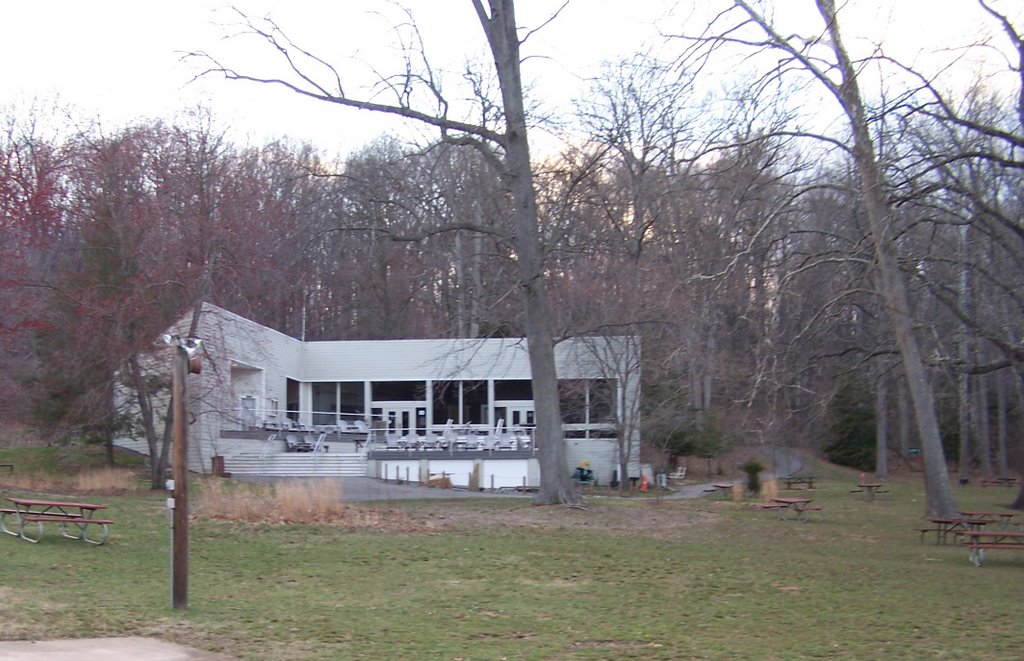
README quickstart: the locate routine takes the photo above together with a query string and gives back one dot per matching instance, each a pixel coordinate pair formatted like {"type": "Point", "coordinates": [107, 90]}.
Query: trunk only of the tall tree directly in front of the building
{"type": "Point", "coordinates": [500, 26]}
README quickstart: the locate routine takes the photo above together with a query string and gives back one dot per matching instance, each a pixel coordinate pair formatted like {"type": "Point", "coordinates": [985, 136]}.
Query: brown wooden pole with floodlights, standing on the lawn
{"type": "Point", "coordinates": [180, 563]}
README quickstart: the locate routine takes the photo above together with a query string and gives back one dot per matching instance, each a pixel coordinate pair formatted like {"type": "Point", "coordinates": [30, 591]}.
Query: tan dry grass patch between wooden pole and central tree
{"type": "Point", "coordinates": [295, 502]}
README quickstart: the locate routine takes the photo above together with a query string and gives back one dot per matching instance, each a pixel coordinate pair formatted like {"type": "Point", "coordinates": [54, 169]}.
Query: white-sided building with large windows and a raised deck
{"type": "Point", "coordinates": [268, 404]}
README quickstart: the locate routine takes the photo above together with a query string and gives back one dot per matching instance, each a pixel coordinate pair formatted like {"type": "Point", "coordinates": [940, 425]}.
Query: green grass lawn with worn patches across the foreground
{"type": "Point", "coordinates": [494, 580]}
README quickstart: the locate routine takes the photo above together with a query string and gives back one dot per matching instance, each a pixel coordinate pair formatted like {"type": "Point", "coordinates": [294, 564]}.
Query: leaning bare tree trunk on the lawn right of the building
{"type": "Point", "coordinates": [938, 492]}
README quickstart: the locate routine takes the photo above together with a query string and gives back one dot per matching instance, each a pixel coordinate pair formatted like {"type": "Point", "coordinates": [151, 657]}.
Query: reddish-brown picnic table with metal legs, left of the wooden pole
{"type": "Point", "coordinates": [73, 518]}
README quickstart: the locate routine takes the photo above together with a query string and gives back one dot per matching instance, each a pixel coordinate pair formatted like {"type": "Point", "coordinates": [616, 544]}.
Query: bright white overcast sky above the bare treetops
{"type": "Point", "coordinates": [119, 61]}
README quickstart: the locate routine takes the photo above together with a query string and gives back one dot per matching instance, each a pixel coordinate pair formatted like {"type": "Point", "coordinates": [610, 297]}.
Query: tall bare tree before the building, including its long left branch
{"type": "Point", "coordinates": [506, 149]}
